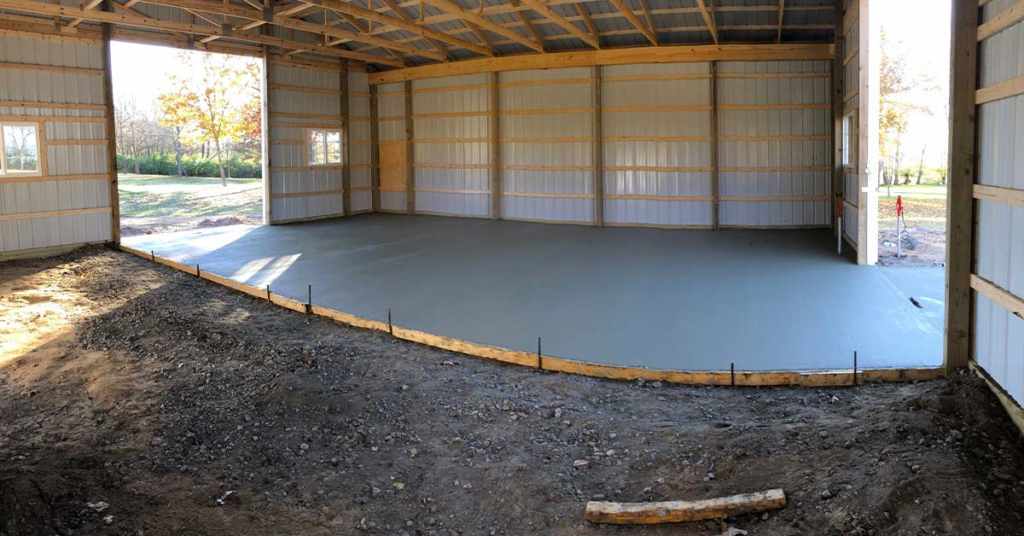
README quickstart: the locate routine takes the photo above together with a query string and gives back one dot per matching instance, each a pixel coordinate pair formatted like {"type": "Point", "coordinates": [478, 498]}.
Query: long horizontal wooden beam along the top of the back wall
{"type": "Point", "coordinates": [614, 57]}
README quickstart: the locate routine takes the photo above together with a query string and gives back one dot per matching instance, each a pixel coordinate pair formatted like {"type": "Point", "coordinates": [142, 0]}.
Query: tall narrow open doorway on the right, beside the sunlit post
{"type": "Point", "coordinates": [914, 133]}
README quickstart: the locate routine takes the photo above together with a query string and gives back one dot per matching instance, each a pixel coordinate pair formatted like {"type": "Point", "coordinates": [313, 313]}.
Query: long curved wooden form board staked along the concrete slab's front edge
{"type": "Point", "coordinates": [827, 379]}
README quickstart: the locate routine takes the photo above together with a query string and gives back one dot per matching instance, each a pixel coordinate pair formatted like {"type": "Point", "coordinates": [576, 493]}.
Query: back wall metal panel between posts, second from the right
{"type": "Point", "coordinates": [657, 130]}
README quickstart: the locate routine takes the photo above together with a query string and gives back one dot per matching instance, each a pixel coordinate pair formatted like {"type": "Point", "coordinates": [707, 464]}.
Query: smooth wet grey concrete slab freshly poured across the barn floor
{"type": "Point", "coordinates": [662, 300]}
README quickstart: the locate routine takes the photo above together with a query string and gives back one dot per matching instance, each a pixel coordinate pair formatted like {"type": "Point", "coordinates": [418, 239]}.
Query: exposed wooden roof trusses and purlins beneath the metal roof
{"type": "Point", "coordinates": [387, 34]}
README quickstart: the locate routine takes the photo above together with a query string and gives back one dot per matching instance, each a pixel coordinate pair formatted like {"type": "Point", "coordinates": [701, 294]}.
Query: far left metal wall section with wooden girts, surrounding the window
{"type": "Point", "coordinates": [58, 85]}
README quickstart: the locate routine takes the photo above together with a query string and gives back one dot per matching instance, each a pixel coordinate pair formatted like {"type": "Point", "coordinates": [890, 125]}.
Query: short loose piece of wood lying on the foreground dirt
{"type": "Point", "coordinates": [681, 512]}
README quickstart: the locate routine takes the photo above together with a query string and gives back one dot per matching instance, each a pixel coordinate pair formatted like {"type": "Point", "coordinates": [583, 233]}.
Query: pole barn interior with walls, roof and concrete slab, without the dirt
{"type": "Point", "coordinates": [735, 141]}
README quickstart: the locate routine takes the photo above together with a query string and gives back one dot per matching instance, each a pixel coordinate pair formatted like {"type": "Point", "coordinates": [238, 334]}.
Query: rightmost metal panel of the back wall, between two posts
{"type": "Point", "coordinates": [775, 151]}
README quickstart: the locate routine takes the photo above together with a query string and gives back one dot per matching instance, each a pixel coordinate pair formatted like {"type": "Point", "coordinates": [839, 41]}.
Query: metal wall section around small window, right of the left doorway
{"type": "Point", "coordinates": [303, 98]}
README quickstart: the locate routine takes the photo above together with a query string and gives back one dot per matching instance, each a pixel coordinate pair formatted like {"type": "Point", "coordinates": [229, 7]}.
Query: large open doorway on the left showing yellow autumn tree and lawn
{"type": "Point", "coordinates": [189, 136]}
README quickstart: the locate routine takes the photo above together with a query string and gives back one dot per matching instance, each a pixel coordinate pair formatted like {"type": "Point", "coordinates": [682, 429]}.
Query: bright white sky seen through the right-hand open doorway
{"type": "Point", "coordinates": [923, 26]}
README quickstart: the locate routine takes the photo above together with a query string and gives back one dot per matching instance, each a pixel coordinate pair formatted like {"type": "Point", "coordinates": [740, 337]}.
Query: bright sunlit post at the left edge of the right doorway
{"type": "Point", "coordinates": [870, 98]}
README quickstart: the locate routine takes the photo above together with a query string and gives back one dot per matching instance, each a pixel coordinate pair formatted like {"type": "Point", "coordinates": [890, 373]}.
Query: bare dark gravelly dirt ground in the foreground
{"type": "Point", "coordinates": [140, 401]}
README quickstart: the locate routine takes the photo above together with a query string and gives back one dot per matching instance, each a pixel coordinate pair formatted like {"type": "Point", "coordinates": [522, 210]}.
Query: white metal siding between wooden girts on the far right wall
{"type": "Point", "coordinates": [999, 341]}
